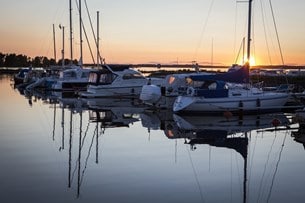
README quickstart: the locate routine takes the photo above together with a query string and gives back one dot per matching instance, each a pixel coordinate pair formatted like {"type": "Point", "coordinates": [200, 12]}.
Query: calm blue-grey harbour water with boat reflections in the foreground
{"type": "Point", "coordinates": [54, 149]}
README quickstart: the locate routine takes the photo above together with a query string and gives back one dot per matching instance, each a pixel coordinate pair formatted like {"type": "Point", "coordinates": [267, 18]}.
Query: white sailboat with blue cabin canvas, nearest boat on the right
{"type": "Point", "coordinates": [217, 96]}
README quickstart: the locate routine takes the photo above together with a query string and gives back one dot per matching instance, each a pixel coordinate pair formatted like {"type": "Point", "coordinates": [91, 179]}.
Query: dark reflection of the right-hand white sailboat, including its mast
{"type": "Point", "coordinates": [217, 131]}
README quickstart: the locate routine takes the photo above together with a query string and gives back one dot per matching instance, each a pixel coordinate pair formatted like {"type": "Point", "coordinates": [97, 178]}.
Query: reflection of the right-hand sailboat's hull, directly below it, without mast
{"type": "Point", "coordinates": [197, 126]}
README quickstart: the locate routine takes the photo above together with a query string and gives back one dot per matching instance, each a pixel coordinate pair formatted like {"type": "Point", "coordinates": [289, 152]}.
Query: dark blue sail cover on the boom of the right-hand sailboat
{"type": "Point", "coordinates": [240, 75]}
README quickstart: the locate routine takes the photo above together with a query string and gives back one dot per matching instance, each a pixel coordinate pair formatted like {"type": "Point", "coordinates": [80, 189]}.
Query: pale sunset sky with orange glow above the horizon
{"type": "Point", "coordinates": [159, 31]}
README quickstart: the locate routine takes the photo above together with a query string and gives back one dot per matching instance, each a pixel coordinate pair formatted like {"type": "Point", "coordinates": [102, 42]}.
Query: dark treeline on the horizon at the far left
{"type": "Point", "coordinates": [14, 60]}
